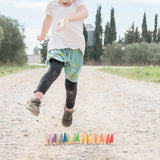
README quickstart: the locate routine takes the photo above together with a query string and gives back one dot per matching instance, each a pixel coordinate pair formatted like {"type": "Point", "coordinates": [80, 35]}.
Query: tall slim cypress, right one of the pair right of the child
{"type": "Point", "coordinates": [113, 32]}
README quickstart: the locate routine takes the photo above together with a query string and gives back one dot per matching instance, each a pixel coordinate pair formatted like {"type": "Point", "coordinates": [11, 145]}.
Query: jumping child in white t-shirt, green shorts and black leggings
{"type": "Point", "coordinates": [66, 48]}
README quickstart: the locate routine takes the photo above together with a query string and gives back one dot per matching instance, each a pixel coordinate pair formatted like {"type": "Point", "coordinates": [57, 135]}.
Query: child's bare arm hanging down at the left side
{"type": "Point", "coordinates": [45, 28]}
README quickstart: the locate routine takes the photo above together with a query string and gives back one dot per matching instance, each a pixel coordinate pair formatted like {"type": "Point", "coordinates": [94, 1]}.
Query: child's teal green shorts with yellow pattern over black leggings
{"type": "Point", "coordinates": [73, 61]}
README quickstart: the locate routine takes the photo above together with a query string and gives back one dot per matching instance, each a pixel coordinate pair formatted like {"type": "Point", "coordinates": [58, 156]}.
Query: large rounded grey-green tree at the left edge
{"type": "Point", "coordinates": [12, 48]}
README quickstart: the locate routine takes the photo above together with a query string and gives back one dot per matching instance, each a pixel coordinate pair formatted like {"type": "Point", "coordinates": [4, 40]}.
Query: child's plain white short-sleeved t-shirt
{"type": "Point", "coordinates": [72, 35]}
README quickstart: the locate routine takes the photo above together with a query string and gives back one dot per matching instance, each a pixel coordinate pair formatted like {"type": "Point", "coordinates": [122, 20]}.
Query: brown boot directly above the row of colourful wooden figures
{"type": "Point", "coordinates": [67, 118]}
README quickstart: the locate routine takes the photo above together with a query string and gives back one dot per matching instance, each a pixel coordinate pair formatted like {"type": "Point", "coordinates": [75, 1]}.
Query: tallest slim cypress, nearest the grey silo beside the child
{"type": "Point", "coordinates": [98, 49]}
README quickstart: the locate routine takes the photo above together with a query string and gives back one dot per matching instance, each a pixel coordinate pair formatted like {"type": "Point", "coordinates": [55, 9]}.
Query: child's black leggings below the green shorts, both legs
{"type": "Point", "coordinates": [51, 75]}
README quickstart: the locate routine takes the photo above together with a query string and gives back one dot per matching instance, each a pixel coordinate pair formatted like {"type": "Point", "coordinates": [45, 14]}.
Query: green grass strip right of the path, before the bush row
{"type": "Point", "coordinates": [150, 74]}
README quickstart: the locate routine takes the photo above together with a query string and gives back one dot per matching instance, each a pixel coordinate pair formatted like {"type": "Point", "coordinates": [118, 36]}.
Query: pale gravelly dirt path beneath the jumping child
{"type": "Point", "coordinates": [105, 103]}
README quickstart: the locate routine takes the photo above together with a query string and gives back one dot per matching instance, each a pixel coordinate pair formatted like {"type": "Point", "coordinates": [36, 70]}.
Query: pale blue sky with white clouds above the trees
{"type": "Point", "coordinates": [31, 13]}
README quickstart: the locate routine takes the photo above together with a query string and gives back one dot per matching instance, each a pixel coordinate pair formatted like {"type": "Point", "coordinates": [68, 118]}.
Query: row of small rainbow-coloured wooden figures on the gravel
{"type": "Point", "coordinates": [78, 139]}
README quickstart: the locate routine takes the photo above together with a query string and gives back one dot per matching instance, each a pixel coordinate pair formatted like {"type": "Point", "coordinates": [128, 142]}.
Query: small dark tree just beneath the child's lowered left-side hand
{"type": "Point", "coordinates": [43, 50]}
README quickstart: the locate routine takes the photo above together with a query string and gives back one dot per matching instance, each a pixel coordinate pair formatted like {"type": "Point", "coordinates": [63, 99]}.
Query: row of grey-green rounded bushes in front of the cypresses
{"type": "Point", "coordinates": [132, 54]}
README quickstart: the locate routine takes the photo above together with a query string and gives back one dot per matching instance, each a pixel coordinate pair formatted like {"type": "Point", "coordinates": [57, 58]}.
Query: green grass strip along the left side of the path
{"type": "Point", "coordinates": [5, 70]}
